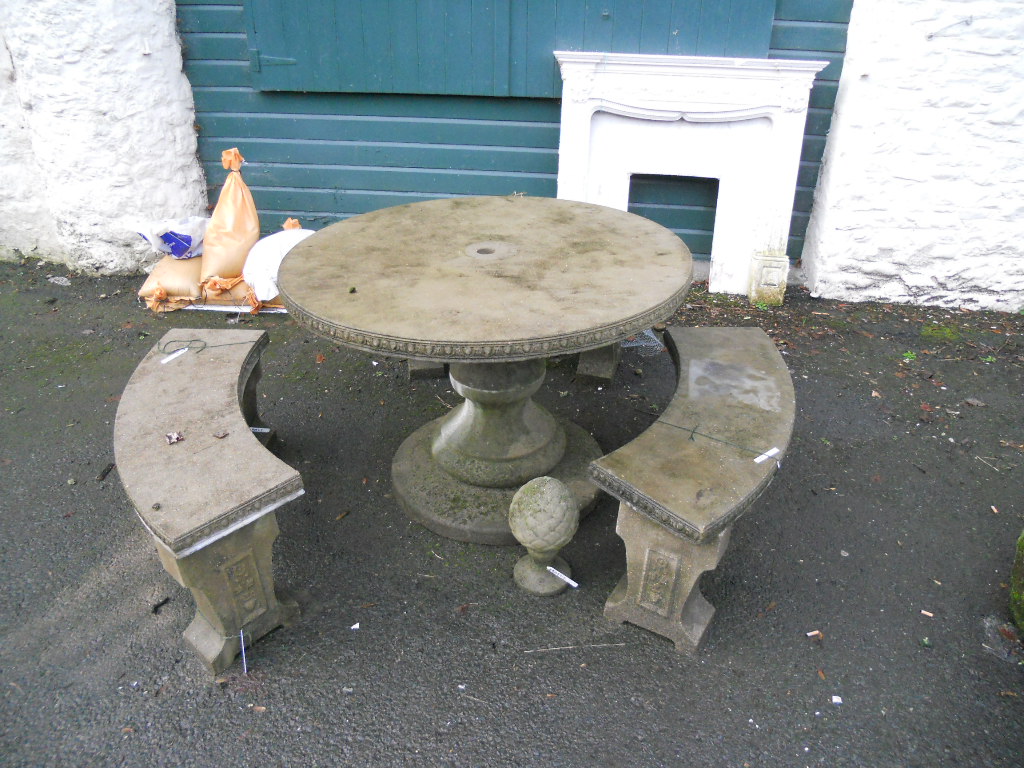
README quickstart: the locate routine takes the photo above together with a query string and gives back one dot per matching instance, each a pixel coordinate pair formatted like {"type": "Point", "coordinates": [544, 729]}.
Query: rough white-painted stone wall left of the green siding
{"type": "Point", "coordinates": [96, 131]}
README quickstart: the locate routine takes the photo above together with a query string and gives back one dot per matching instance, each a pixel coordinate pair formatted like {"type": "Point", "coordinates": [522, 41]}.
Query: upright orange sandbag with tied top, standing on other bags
{"type": "Point", "coordinates": [234, 229]}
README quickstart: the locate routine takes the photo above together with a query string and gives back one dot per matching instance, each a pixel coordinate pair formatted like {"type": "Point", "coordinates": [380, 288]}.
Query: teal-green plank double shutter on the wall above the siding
{"type": "Point", "coordinates": [480, 48]}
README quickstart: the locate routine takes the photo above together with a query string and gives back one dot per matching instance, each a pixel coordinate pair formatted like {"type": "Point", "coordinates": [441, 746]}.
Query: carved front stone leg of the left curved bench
{"type": "Point", "coordinates": [232, 581]}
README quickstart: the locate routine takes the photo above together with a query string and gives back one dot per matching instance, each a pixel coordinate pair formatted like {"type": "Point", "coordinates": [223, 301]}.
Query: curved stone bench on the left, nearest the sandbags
{"type": "Point", "coordinates": [208, 499]}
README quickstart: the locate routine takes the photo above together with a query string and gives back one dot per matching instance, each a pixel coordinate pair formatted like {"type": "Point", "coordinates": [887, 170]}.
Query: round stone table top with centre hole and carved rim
{"type": "Point", "coordinates": [487, 279]}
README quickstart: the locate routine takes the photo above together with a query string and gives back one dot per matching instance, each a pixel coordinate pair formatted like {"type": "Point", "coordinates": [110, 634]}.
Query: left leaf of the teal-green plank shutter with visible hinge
{"type": "Point", "coordinates": [380, 47]}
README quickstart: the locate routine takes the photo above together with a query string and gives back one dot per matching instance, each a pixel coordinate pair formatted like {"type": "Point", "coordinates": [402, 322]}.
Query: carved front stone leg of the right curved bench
{"type": "Point", "coordinates": [660, 590]}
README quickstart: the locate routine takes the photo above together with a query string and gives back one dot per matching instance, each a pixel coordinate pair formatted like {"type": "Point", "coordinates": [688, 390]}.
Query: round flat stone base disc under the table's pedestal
{"type": "Point", "coordinates": [472, 514]}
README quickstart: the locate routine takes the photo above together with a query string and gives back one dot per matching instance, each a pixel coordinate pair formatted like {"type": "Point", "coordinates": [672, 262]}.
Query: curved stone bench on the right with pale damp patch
{"type": "Point", "coordinates": [685, 482]}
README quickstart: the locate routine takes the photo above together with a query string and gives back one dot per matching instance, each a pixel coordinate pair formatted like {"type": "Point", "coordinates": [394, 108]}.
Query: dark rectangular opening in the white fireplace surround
{"type": "Point", "coordinates": [687, 205]}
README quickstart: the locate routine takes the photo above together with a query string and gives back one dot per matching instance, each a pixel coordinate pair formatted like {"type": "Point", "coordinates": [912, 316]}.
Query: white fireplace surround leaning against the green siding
{"type": "Point", "coordinates": [737, 120]}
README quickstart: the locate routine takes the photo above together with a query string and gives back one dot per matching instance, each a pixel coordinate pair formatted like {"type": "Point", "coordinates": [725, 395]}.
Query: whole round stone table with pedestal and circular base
{"type": "Point", "coordinates": [493, 286]}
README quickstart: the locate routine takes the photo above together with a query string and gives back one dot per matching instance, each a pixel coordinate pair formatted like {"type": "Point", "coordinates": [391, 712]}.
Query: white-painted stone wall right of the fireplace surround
{"type": "Point", "coordinates": [921, 198]}
